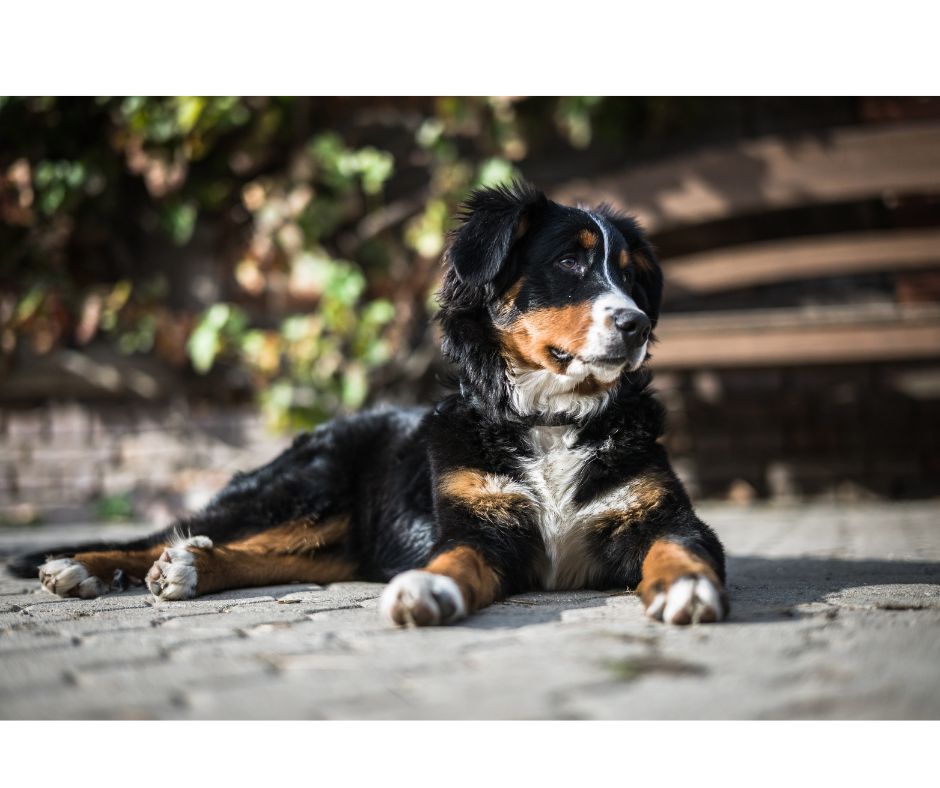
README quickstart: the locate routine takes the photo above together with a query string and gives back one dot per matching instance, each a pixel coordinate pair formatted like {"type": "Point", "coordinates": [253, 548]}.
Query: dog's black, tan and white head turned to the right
{"type": "Point", "coordinates": [559, 302]}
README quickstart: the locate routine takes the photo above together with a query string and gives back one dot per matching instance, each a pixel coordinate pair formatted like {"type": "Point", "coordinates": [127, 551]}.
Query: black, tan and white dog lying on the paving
{"type": "Point", "coordinates": [541, 470]}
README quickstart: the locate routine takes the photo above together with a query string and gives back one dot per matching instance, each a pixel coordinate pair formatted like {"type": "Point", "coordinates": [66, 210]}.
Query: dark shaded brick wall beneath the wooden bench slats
{"type": "Point", "coordinates": [832, 432]}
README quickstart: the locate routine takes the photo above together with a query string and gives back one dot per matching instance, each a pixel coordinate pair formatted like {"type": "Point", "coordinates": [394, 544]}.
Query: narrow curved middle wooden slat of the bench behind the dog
{"type": "Point", "coordinates": [804, 258]}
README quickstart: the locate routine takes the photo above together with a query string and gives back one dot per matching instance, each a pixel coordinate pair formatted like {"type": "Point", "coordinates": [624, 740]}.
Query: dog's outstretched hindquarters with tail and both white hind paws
{"type": "Point", "coordinates": [283, 522]}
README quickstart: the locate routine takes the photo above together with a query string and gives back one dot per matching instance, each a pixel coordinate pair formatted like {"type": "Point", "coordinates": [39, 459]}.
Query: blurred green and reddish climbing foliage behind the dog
{"type": "Point", "coordinates": [288, 243]}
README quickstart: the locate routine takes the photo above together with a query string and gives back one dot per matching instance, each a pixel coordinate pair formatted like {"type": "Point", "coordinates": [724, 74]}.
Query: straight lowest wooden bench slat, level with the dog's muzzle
{"type": "Point", "coordinates": [794, 337]}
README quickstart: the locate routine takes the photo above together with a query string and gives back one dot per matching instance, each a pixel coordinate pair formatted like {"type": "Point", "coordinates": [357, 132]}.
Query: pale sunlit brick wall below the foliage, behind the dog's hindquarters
{"type": "Point", "coordinates": [67, 461]}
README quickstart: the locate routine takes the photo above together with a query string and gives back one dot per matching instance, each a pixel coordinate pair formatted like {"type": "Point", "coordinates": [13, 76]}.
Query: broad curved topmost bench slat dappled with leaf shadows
{"type": "Point", "coordinates": [772, 173]}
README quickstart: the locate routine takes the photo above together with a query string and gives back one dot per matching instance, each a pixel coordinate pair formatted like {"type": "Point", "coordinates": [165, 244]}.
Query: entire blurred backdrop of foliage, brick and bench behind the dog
{"type": "Point", "coordinates": [185, 281]}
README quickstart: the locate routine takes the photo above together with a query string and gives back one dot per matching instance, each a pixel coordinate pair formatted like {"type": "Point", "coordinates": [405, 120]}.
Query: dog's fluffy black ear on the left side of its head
{"type": "Point", "coordinates": [493, 220]}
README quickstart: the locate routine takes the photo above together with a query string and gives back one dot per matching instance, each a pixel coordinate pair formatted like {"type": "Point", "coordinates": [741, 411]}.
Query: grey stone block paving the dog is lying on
{"type": "Point", "coordinates": [836, 614]}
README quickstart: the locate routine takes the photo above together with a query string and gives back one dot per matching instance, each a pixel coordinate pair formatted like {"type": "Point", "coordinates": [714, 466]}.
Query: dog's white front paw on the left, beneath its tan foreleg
{"type": "Point", "coordinates": [422, 599]}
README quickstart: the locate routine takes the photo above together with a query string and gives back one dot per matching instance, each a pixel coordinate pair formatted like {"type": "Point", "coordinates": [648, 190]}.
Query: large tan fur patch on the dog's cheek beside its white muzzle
{"type": "Point", "coordinates": [528, 338]}
